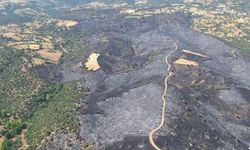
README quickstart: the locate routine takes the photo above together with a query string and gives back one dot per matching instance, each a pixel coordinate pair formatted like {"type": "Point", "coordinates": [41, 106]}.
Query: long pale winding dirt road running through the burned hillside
{"type": "Point", "coordinates": [164, 96]}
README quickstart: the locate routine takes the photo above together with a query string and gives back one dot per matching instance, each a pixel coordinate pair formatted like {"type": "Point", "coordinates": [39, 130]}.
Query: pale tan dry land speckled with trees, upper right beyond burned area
{"type": "Point", "coordinates": [221, 23]}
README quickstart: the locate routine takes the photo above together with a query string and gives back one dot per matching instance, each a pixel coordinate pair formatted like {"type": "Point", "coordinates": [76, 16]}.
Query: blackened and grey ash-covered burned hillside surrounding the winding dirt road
{"type": "Point", "coordinates": [207, 105]}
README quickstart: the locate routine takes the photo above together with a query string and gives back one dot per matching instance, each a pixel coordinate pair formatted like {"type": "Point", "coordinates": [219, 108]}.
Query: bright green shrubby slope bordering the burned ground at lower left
{"type": "Point", "coordinates": [58, 114]}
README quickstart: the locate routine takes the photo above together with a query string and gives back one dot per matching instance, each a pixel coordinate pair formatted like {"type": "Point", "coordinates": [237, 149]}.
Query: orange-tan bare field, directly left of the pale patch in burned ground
{"type": "Point", "coordinates": [50, 55]}
